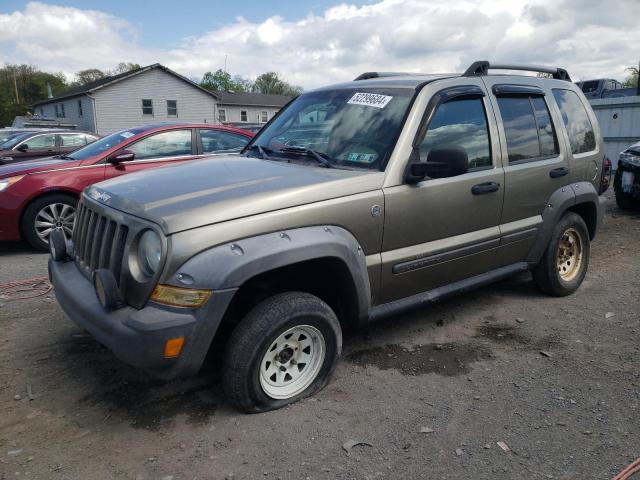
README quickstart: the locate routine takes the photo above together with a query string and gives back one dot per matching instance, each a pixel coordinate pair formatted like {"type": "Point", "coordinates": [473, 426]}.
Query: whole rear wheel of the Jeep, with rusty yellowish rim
{"type": "Point", "coordinates": [566, 259]}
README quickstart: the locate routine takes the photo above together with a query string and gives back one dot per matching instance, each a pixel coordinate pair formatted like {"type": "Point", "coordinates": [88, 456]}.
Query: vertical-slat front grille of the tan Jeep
{"type": "Point", "coordinates": [98, 241]}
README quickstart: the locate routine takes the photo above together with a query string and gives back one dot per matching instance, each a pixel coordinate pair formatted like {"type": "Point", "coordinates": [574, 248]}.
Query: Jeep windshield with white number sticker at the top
{"type": "Point", "coordinates": [354, 127]}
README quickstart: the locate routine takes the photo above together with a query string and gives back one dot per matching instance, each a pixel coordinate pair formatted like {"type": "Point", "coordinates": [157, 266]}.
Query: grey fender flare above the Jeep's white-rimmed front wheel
{"type": "Point", "coordinates": [230, 265]}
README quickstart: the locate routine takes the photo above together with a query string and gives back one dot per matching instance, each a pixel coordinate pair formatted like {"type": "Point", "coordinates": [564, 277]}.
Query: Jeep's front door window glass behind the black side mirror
{"type": "Point", "coordinates": [460, 123]}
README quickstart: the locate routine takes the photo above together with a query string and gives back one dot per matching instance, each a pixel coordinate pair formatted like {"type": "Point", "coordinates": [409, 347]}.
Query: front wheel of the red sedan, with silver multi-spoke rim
{"type": "Point", "coordinates": [45, 214]}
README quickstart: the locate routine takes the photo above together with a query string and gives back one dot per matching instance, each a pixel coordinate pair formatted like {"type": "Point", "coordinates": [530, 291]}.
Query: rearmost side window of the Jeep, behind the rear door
{"type": "Point", "coordinates": [579, 128]}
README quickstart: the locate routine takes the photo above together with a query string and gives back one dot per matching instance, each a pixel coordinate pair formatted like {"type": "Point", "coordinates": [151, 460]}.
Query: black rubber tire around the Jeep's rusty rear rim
{"type": "Point", "coordinates": [546, 274]}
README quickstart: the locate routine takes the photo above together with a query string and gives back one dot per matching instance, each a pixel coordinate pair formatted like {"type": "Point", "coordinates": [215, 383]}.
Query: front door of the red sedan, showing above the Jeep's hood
{"type": "Point", "coordinates": [163, 148]}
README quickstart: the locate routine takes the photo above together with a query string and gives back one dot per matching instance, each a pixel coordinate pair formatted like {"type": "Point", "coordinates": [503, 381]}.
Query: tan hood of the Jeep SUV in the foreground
{"type": "Point", "coordinates": [209, 191]}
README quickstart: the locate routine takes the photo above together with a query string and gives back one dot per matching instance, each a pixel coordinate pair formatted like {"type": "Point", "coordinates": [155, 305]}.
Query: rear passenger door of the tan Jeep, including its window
{"type": "Point", "coordinates": [533, 155]}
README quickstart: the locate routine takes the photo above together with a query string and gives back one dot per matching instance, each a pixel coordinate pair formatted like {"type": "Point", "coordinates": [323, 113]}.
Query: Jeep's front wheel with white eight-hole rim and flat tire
{"type": "Point", "coordinates": [283, 350]}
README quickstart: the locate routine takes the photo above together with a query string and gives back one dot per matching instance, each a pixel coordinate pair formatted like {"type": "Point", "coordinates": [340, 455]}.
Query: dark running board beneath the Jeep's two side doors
{"type": "Point", "coordinates": [418, 300]}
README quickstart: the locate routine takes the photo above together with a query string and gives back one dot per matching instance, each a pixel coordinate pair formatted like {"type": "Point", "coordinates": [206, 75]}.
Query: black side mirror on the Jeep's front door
{"type": "Point", "coordinates": [442, 162]}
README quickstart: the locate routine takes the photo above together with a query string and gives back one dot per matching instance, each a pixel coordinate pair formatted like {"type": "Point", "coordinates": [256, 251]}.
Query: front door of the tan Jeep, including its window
{"type": "Point", "coordinates": [445, 229]}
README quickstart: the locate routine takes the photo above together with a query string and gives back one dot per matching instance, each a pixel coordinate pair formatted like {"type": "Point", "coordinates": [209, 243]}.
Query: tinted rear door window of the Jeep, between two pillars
{"type": "Point", "coordinates": [528, 128]}
